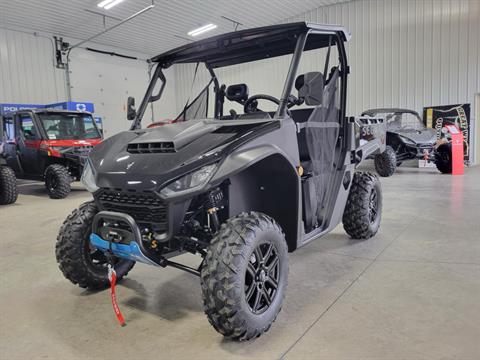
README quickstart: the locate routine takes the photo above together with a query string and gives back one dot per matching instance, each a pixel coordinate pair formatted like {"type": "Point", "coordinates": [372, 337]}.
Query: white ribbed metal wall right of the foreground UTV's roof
{"type": "Point", "coordinates": [406, 53]}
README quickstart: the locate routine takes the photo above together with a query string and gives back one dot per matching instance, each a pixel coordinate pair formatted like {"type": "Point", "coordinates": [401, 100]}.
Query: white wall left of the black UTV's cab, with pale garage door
{"type": "Point", "coordinates": [28, 75]}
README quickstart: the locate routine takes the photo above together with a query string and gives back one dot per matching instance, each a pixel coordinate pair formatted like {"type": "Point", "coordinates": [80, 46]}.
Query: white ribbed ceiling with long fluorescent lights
{"type": "Point", "coordinates": [154, 31]}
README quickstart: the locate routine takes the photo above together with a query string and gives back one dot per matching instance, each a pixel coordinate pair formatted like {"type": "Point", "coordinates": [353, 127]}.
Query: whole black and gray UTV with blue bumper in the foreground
{"type": "Point", "coordinates": [240, 190]}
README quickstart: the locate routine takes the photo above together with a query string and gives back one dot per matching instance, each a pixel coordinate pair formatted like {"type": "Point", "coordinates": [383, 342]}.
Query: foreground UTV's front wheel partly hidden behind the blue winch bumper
{"type": "Point", "coordinates": [79, 262]}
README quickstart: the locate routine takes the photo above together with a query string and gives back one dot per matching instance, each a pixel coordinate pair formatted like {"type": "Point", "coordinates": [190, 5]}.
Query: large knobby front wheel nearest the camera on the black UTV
{"type": "Point", "coordinates": [231, 276]}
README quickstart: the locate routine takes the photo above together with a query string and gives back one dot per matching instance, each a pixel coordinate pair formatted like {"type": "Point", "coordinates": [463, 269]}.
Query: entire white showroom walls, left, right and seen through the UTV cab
{"type": "Point", "coordinates": [406, 53]}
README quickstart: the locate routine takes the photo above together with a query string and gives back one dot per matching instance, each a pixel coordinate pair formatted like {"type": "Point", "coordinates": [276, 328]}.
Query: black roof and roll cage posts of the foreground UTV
{"type": "Point", "coordinates": [251, 45]}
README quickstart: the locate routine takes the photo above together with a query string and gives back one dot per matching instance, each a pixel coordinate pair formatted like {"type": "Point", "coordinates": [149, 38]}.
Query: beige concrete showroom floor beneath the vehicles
{"type": "Point", "coordinates": [412, 292]}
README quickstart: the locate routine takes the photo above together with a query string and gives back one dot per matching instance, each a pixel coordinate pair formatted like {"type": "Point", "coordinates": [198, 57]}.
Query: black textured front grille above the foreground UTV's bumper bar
{"type": "Point", "coordinates": [146, 208]}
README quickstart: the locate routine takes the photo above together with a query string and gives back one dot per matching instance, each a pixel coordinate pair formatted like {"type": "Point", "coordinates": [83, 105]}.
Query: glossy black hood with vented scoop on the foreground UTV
{"type": "Point", "coordinates": [147, 158]}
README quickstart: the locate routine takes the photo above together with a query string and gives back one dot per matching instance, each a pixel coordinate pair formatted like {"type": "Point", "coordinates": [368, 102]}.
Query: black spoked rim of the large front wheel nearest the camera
{"type": "Point", "coordinates": [262, 278]}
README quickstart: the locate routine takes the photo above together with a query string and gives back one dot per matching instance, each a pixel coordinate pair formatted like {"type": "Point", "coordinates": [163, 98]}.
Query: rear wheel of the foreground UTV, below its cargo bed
{"type": "Point", "coordinates": [363, 211]}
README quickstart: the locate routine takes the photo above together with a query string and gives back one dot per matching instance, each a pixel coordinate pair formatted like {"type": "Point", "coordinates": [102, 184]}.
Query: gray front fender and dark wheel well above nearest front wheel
{"type": "Point", "coordinates": [264, 179]}
